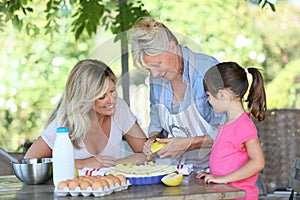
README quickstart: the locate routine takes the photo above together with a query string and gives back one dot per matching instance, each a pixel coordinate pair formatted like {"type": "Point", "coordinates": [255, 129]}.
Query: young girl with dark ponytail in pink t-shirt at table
{"type": "Point", "coordinates": [236, 157]}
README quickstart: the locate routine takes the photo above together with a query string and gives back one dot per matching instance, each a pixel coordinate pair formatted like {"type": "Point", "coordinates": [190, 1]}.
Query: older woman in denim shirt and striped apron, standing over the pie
{"type": "Point", "coordinates": [178, 102]}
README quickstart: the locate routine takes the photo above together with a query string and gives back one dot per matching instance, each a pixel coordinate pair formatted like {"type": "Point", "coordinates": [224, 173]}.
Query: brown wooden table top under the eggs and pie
{"type": "Point", "coordinates": [190, 188]}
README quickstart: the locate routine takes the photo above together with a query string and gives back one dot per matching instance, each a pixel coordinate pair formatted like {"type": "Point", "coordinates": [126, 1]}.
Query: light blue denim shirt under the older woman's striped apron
{"type": "Point", "coordinates": [202, 63]}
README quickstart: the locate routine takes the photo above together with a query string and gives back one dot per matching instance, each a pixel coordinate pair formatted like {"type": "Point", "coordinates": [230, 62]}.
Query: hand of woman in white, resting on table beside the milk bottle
{"type": "Point", "coordinates": [96, 162]}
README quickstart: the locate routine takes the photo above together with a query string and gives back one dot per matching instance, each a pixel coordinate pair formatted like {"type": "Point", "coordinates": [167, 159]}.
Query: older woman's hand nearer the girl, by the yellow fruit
{"type": "Point", "coordinates": [175, 147]}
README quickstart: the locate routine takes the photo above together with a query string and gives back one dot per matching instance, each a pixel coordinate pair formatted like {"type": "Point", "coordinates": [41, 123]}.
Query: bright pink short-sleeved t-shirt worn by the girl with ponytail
{"type": "Point", "coordinates": [227, 154]}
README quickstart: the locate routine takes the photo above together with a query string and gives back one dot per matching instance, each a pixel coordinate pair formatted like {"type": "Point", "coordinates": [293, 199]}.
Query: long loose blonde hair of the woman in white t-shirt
{"type": "Point", "coordinates": [87, 82]}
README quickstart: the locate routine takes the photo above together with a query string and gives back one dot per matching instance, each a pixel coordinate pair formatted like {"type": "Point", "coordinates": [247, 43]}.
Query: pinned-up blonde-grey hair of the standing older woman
{"type": "Point", "coordinates": [149, 37]}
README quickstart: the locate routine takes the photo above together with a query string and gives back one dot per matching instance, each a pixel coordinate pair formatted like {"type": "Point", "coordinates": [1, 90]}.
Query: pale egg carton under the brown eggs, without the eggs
{"type": "Point", "coordinates": [90, 192]}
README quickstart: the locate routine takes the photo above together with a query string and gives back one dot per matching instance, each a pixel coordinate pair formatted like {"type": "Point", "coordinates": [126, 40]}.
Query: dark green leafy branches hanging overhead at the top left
{"type": "Point", "coordinates": [86, 15]}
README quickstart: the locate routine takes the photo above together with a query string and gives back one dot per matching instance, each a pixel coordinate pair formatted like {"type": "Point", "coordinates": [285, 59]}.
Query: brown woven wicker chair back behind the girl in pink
{"type": "Point", "coordinates": [279, 135]}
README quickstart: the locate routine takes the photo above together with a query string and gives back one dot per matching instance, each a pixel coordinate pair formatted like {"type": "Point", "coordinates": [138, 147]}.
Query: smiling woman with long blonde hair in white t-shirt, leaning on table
{"type": "Point", "coordinates": [97, 120]}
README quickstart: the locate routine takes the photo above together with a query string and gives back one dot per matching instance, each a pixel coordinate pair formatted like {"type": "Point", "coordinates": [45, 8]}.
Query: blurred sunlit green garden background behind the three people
{"type": "Point", "coordinates": [38, 51]}
